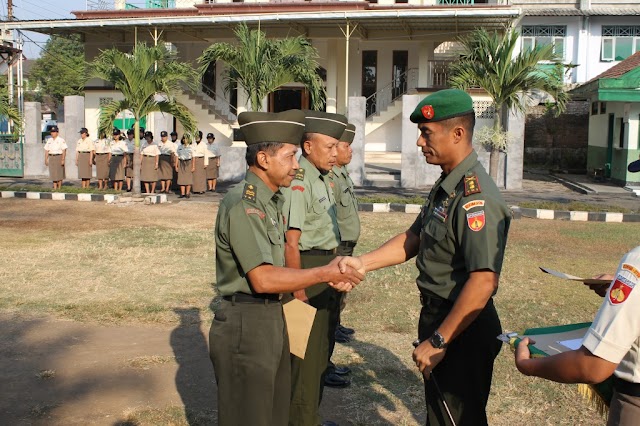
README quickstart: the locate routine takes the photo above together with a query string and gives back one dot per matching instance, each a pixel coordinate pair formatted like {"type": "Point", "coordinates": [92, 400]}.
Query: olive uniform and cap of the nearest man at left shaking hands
{"type": "Point", "coordinates": [248, 340]}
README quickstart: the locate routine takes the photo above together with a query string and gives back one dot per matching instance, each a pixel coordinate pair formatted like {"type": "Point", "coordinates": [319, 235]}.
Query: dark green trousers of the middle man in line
{"type": "Point", "coordinates": [307, 375]}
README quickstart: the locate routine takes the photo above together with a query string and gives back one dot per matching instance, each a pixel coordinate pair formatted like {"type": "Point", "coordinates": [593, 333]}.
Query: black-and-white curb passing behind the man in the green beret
{"type": "Point", "coordinates": [518, 213]}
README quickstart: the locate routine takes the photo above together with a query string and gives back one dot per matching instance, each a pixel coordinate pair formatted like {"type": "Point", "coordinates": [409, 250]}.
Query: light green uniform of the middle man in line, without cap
{"type": "Point", "coordinates": [310, 207]}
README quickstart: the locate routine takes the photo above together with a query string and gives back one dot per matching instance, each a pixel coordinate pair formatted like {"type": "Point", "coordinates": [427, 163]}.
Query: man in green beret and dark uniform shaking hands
{"type": "Point", "coordinates": [458, 240]}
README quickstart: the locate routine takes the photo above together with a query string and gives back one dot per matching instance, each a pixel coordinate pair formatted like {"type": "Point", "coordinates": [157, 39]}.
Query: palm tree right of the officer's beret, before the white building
{"type": "Point", "coordinates": [489, 63]}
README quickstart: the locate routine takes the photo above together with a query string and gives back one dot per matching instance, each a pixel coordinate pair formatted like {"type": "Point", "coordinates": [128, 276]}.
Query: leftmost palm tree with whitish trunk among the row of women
{"type": "Point", "coordinates": [149, 78]}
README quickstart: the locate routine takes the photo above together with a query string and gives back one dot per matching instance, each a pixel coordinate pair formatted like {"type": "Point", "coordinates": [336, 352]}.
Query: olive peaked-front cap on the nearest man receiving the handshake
{"type": "Point", "coordinates": [285, 127]}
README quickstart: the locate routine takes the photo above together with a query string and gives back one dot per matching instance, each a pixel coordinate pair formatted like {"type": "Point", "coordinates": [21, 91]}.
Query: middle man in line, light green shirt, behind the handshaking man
{"type": "Point", "coordinates": [312, 239]}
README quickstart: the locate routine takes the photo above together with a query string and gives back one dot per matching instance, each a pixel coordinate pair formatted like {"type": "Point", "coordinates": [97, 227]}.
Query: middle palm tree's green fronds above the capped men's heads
{"type": "Point", "coordinates": [260, 65]}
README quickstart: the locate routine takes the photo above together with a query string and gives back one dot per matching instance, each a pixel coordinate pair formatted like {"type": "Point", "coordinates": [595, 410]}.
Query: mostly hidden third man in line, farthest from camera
{"type": "Point", "coordinates": [349, 226]}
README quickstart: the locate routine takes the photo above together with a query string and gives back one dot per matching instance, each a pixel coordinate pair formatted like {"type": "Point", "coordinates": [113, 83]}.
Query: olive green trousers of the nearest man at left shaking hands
{"type": "Point", "coordinates": [249, 348]}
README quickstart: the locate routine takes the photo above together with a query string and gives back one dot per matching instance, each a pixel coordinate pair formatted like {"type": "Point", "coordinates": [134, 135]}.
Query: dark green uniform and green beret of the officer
{"type": "Point", "coordinates": [463, 228]}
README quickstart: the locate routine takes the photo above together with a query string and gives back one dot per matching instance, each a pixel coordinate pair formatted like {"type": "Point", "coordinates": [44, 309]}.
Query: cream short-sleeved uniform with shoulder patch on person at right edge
{"type": "Point", "coordinates": [614, 335]}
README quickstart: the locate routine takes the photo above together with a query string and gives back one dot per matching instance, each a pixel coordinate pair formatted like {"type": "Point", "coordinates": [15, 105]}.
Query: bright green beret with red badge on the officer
{"type": "Point", "coordinates": [442, 105]}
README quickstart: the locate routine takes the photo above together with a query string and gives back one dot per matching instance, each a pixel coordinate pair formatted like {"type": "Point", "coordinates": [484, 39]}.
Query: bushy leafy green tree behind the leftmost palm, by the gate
{"type": "Point", "coordinates": [61, 70]}
